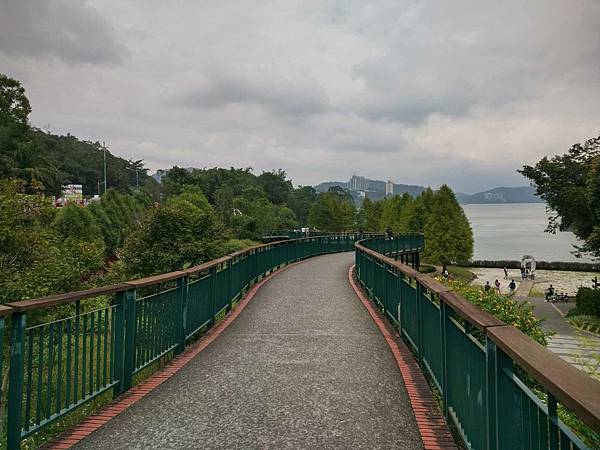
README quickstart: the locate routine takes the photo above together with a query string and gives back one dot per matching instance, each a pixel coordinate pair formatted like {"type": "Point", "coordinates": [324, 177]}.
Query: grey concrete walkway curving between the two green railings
{"type": "Point", "coordinates": [303, 366]}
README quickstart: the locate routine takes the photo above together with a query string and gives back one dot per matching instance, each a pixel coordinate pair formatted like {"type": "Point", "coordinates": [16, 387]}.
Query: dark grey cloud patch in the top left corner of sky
{"type": "Point", "coordinates": [69, 30]}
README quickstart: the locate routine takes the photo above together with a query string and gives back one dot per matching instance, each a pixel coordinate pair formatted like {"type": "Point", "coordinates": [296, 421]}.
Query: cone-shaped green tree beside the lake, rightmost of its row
{"type": "Point", "coordinates": [448, 234]}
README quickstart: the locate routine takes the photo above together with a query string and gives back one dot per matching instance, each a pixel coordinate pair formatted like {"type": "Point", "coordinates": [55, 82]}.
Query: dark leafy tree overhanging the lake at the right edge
{"type": "Point", "coordinates": [570, 185]}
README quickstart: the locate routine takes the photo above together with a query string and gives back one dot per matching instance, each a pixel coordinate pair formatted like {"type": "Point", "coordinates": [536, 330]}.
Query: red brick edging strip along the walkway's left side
{"type": "Point", "coordinates": [135, 394]}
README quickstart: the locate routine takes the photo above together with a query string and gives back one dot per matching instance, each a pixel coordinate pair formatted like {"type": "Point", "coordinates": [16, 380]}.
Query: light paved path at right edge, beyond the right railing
{"type": "Point", "coordinates": [580, 348]}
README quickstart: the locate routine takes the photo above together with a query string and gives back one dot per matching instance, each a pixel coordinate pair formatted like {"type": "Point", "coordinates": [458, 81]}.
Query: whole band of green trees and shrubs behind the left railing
{"type": "Point", "coordinates": [202, 213]}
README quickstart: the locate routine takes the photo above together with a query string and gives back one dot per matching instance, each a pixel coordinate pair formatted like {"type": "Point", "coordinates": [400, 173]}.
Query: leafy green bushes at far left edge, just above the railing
{"type": "Point", "coordinates": [38, 255]}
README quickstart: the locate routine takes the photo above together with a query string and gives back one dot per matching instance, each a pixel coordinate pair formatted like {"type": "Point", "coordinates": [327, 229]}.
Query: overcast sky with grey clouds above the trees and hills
{"type": "Point", "coordinates": [421, 92]}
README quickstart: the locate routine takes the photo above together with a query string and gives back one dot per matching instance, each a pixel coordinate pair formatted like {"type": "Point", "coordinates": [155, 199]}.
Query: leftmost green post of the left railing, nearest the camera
{"type": "Point", "coordinates": [15, 387]}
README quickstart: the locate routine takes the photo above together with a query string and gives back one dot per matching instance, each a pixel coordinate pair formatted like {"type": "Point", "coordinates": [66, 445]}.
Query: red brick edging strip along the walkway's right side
{"type": "Point", "coordinates": [432, 426]}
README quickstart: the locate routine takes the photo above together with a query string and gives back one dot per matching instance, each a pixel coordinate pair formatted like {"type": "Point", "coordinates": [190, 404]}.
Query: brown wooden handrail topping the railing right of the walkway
{"type": "Point", "coordinates": [570, 386]}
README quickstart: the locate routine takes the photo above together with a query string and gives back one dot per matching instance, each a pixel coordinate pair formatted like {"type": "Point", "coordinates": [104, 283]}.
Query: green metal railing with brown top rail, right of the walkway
{"type": "Point", "coordinates": [475, 360]}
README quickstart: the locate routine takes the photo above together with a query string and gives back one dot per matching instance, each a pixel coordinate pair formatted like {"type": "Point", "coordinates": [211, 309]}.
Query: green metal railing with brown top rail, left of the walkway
{"type": "Point", "coordinates": [105, 336]}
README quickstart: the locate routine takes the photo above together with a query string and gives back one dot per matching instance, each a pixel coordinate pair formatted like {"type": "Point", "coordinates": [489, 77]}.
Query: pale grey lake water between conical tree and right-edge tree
{"type": "Point", "coordinates": [509, 231]}
